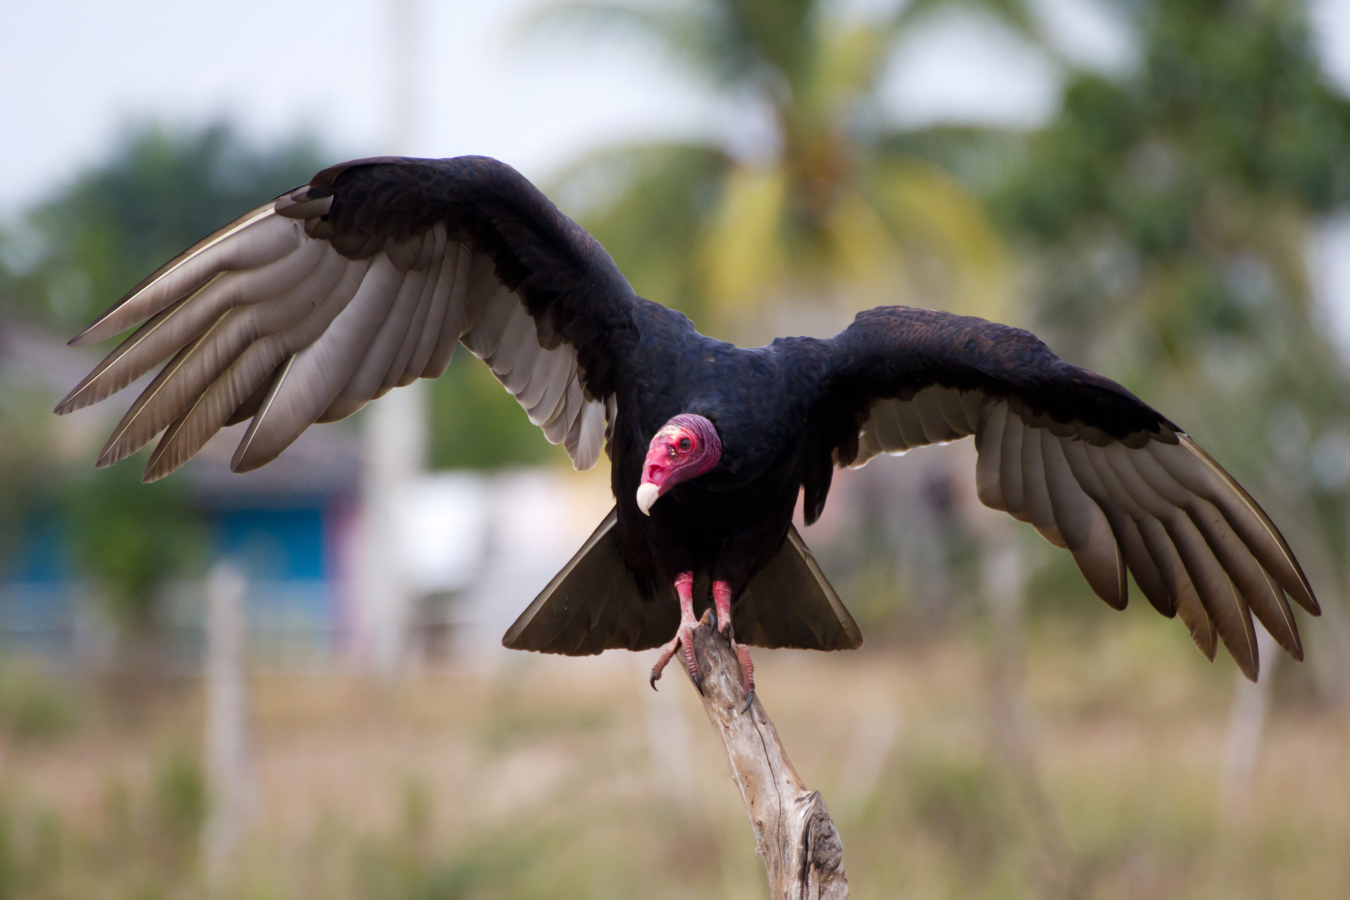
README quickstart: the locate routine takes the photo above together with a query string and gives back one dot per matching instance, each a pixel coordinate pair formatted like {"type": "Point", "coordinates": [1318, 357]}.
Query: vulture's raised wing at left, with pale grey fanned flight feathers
{"type": "Point", "coordinates": [365, 280]}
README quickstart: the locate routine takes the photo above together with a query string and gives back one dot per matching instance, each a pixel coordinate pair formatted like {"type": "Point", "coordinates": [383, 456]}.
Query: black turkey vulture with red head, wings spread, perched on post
{"type": "Point", "coordinates": [368, 277]}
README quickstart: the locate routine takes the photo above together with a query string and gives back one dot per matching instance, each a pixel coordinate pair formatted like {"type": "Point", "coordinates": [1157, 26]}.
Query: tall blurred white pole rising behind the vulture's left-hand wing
{"type": "Point", "coordinates": [395, 427]}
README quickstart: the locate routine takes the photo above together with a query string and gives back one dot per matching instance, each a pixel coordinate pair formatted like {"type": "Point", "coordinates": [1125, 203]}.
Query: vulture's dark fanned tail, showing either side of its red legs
{"type": "Point", "coordinates": [595, 604]}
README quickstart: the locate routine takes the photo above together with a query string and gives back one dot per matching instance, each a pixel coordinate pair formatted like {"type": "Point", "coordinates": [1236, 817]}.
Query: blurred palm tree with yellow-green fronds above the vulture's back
{"type": "Point", "coordinates": [834, 213]}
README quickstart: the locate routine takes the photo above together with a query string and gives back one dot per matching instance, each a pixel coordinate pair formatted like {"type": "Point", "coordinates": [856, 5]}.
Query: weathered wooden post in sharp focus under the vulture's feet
{"type": "Point", "coordinates": [794, 835]}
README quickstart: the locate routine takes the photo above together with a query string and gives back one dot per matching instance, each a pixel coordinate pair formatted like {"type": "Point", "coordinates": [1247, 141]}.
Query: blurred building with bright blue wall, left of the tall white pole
{"type": "Point", "coordinates": [290, 526]}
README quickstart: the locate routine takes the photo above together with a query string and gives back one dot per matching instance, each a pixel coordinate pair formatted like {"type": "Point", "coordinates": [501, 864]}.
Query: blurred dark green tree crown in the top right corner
{"type": "Point", "coordinates": [1229, 107]}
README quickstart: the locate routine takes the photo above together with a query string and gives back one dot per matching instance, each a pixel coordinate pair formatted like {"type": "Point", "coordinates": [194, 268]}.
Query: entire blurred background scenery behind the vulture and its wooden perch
{"type": "Point", "coordinates": [291, 685]}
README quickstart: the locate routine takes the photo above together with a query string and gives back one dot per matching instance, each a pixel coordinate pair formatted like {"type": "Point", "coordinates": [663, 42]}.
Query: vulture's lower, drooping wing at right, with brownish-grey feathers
{"type": "Point", "coordinates": [1096, 470]}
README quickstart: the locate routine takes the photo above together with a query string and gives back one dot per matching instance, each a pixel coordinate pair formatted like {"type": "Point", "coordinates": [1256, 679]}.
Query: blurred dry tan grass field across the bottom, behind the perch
{"type": "Point", "coordinates": [569, 779]}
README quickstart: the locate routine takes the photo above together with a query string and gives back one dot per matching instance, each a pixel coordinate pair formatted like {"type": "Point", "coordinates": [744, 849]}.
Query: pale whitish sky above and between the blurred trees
{"type": "Point", "coordinates": [78, 71]}
